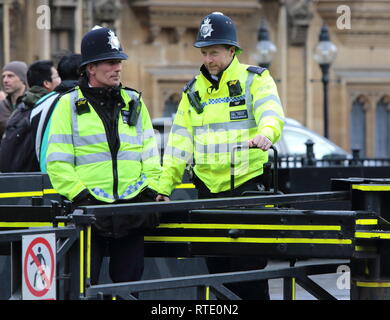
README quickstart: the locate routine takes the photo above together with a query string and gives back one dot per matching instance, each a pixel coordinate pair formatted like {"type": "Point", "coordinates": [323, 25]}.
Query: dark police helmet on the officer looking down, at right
{"type": "Point", "coordinates": [216, 28]}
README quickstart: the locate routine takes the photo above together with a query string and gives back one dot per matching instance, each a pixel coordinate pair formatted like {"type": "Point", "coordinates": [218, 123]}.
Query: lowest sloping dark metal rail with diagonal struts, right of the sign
{"type": "Point", "coordinates": [207, 284]}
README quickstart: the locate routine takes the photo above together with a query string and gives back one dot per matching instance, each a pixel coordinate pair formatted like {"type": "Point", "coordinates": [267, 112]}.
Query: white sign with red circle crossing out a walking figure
{"type": "Point", "coordinates": [39, 267]}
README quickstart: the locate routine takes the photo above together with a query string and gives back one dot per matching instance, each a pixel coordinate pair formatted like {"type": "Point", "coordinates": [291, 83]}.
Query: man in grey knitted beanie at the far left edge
{"type": "Point", "coordinates": [14, 81]}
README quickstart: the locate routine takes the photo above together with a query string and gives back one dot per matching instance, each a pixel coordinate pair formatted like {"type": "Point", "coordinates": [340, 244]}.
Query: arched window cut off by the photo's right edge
{"type": "Point", "coordinates": [382, 129]}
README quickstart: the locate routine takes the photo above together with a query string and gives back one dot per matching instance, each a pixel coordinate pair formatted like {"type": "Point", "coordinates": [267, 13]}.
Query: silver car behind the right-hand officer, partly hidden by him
{"type": "Point", "coordinates": [291, 145]}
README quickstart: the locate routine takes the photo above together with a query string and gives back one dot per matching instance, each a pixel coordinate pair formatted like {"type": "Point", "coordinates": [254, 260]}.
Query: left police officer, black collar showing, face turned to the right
{"type": "Point", "coordinates": [102, 149]}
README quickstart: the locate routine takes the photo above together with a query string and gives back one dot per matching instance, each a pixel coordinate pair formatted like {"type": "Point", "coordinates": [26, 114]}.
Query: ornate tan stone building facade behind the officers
{"type": "Point", "coordinates": [158, 36]}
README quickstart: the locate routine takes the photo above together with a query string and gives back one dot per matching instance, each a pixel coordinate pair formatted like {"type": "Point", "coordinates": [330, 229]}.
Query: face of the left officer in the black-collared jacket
{"type": "Point", "coordinates": [106, 73]}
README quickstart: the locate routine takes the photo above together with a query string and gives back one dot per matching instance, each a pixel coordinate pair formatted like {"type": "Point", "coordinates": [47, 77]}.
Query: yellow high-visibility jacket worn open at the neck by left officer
{"type": "Point", "coordinates": [80, 157]}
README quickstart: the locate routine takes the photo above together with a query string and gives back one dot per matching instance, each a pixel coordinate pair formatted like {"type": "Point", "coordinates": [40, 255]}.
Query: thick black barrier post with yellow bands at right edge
{"type": "Point", "coordinates": [370, 266]}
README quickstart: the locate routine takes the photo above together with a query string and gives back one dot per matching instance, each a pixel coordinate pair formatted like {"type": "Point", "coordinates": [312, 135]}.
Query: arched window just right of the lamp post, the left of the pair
{"type": "Point", "coordinates": [358, 126]}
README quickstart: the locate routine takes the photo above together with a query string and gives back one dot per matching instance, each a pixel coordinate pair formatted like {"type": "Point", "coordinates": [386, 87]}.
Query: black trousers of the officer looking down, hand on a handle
{"type": "Point", "coordinates": [252, 290]}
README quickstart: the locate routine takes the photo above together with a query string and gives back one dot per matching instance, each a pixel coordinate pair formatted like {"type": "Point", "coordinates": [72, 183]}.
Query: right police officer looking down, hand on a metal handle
{"type": "Point", "coordinates": [226, 104]}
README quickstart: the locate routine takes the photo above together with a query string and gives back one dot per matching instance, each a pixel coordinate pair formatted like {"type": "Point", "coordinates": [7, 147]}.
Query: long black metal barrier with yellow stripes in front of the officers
{"type": "Point", "coordinates": [234, 227]}
